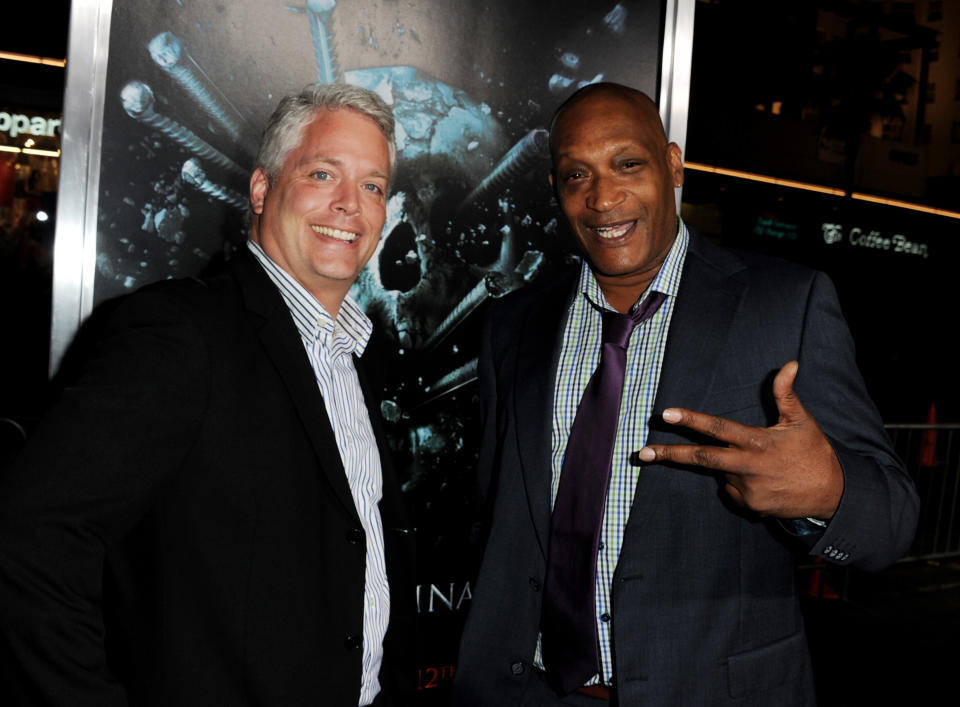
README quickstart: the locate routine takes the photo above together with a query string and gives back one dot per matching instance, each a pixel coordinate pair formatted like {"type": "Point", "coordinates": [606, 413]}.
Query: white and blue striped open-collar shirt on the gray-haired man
{"type": "Point", "coordinates": [330, 344]}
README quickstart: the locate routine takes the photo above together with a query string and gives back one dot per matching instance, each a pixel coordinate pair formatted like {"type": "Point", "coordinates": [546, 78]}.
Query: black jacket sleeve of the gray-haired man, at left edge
{"type": "Point", "coordinates": [84, 479]}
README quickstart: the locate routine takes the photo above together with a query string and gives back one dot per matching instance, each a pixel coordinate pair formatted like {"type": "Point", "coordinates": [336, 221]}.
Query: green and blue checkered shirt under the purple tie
{"type": "Point", "coordinates": [579, 357]}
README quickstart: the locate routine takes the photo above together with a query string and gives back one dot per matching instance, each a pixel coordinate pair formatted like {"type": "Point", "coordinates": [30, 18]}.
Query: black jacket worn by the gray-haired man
{"type": "Point", "coordinates": [180, 531]}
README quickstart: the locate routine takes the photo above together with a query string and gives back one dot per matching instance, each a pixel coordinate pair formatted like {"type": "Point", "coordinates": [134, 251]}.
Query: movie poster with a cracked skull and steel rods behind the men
{"type": "Point", "coordinates": [190, 84]}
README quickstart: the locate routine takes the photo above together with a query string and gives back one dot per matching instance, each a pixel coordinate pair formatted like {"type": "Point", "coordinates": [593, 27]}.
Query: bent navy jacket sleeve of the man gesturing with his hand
{"type": "Point", "coordinates": [877, 516]}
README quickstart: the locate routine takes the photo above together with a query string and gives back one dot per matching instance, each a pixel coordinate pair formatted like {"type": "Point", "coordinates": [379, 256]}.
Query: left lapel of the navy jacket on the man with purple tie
{"type": "Point", "coordinates": [538, 353]}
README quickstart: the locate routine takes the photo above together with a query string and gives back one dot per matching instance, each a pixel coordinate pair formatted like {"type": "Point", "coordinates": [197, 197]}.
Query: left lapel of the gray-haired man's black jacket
{"type": "Point", "coordinates": [280, 339]}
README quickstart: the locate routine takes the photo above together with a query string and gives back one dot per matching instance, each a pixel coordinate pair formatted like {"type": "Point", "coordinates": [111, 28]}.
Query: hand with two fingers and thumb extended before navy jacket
{"type": "Point", "coordinates": [787, 471]}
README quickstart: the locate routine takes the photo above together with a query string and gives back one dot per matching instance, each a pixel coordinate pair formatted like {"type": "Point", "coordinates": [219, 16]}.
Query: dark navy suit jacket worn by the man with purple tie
{"type": "Point", "coordinates": [705, 608]}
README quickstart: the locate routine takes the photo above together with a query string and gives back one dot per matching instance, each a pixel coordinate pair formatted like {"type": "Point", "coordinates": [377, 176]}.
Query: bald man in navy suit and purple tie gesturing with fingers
{"type": "Point", "coordinates": [641, 543]}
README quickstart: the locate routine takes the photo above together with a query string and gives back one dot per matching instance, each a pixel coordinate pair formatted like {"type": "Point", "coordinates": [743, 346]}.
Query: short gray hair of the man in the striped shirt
{"type": "Point", "coordinates": [295, 112]}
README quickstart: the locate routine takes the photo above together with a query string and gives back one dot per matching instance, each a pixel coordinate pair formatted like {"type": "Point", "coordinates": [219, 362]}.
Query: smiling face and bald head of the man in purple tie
{"type": "Point", "coordinates": [614, 174]}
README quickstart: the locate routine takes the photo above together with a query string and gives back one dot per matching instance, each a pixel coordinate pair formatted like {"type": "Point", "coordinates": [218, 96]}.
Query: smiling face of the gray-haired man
{"type": "Point", "coordinates": [321, 218]}
